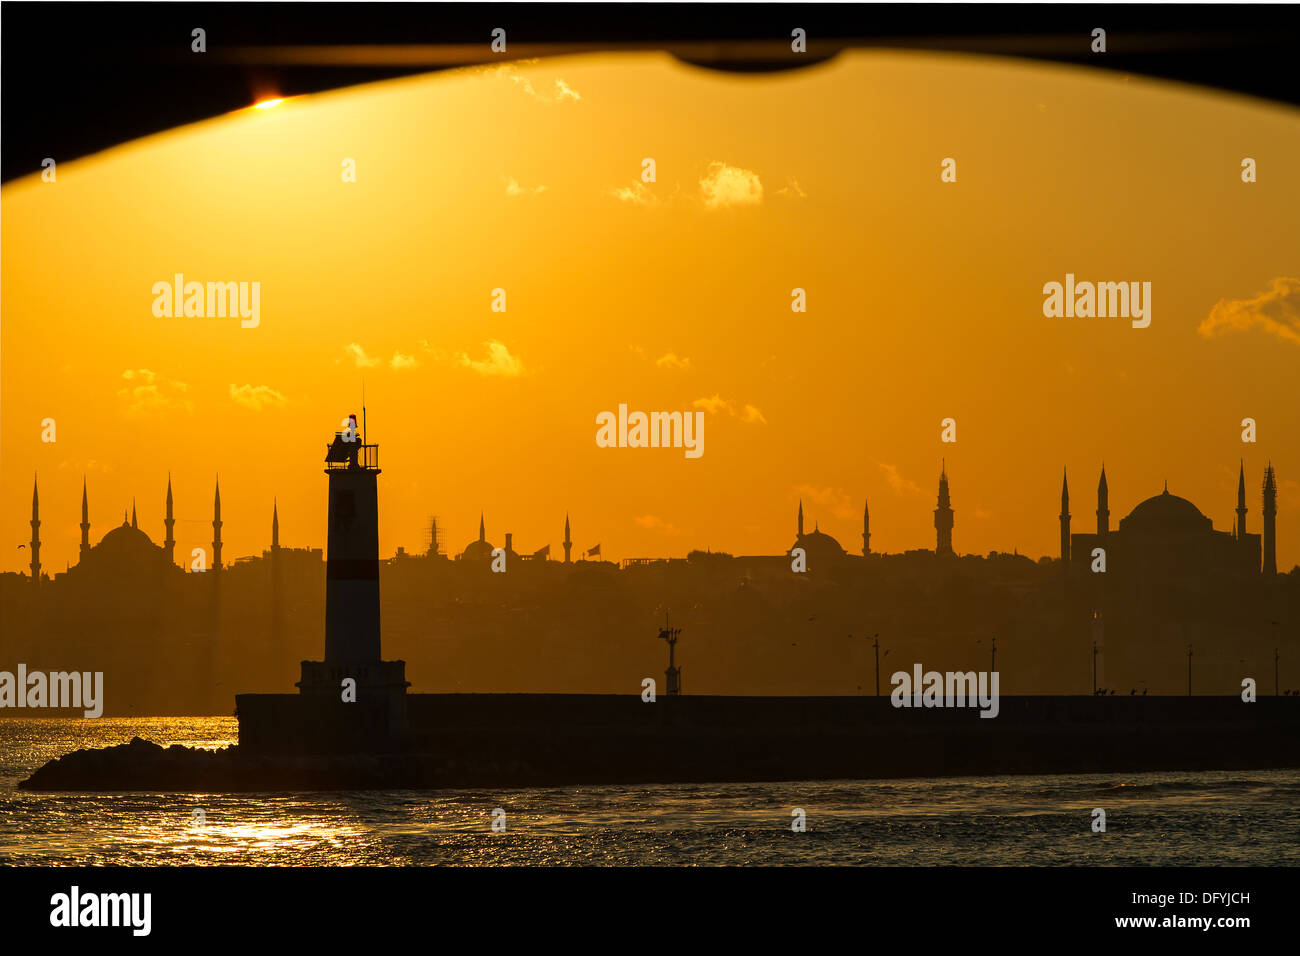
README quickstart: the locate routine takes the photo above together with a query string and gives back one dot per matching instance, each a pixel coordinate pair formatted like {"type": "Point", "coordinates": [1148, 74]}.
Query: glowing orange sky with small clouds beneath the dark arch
{"type": "Point", "coordinates": [925, 302]}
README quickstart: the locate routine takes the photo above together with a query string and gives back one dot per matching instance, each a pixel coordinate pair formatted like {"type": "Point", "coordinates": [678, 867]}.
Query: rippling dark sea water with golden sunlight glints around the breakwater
{"type": "Point", "coordinates": [1203, 819]}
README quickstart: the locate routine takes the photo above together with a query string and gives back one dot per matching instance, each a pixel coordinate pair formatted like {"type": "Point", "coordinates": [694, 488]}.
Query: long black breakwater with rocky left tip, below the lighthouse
{"type": "Point", "coordinates": [540, 741]}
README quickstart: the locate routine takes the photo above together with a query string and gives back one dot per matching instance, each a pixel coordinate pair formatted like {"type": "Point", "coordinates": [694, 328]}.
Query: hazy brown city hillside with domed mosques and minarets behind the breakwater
{"type": "Point", "coordinates": [174, 641]}
